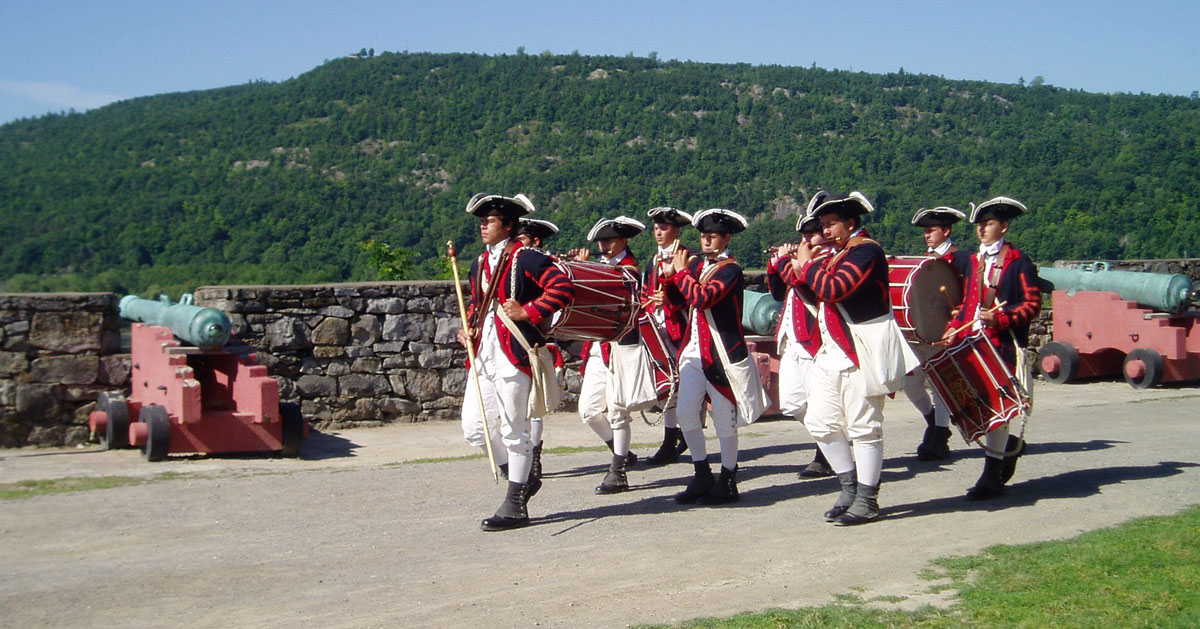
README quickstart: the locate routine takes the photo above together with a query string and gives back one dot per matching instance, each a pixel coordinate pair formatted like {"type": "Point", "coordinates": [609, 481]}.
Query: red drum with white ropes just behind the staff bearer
{"type": "Point", "coordinates": [605, 307]}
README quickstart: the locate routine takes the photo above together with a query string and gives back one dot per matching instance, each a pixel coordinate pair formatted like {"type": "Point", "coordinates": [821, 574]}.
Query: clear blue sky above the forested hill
{"type": "Point", "coordinates": [63, 55]}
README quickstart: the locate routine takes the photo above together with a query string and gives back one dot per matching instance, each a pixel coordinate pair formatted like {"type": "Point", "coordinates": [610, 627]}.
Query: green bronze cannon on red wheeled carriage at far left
{"type": "Point", "coordinates": [209, 396]}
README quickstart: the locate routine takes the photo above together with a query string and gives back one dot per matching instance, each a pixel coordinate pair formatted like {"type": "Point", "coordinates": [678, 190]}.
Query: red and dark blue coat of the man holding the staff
{"type": "Point", "coordinates": [542, 289]}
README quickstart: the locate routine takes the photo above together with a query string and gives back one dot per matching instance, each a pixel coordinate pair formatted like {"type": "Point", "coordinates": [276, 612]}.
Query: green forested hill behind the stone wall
{"type": "Point", "coordinates": [285, 182]}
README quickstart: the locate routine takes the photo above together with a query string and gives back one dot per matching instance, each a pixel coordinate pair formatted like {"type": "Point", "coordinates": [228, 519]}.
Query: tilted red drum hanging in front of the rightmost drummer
{"type": "Point", "coordinates": [977, 387]}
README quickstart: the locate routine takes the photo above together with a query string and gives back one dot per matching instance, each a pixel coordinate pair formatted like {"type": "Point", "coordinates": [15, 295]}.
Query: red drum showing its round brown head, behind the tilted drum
{"type": "Point", "coordinates": [923, 290]}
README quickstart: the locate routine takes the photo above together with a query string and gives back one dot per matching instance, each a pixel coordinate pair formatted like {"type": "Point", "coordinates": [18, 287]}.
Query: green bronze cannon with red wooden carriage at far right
{"type": "Point", "coordinates": [1138, 325]}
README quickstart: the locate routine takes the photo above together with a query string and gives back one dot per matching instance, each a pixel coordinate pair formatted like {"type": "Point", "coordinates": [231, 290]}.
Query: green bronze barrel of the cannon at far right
{"type": "Point", "coordinates": [1163, 292]}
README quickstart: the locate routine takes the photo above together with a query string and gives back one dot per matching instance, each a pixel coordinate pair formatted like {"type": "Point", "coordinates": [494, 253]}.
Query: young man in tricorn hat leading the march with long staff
{"type": "Point", "coordinates": [527, 287]}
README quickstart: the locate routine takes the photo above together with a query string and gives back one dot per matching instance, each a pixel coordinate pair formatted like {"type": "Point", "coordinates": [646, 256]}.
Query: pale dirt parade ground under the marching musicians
{"type": "Point", "coordinates": [380, 528]}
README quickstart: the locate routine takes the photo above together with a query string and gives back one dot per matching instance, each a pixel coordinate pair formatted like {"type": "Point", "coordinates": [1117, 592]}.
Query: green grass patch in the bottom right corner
{"type": "Point", "coordinates": [1145, 573]}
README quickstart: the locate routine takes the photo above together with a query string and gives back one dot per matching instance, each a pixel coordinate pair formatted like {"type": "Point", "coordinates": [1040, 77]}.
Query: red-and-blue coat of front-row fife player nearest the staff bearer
{"type": "Point", "coordinates": [722, 295]}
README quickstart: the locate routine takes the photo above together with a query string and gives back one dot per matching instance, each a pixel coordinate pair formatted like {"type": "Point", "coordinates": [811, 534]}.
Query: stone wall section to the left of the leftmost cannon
{"type": "Point", "coordinates": [59, 352]}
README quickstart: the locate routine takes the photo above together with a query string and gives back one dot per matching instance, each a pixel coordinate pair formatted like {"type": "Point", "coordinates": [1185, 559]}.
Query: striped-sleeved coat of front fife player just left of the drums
{"type": "Point", "coordinates": [857, 279]}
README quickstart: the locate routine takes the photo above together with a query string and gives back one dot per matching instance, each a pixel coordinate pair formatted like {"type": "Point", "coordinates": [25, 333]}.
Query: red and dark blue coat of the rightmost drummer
{"type": "Point", "coordinates": [1017, 287]}
